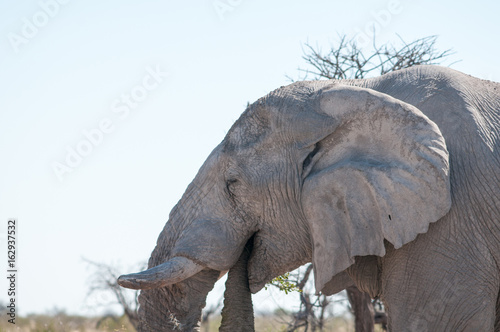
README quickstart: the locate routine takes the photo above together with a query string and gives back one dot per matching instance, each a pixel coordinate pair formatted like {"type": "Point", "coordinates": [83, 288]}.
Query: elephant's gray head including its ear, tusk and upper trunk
{"type": "Point", "coordinates": [315, 171]}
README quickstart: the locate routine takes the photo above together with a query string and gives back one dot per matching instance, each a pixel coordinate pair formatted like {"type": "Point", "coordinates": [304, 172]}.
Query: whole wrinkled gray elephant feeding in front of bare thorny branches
{"type": "Point", "coordinates": [391, 184]}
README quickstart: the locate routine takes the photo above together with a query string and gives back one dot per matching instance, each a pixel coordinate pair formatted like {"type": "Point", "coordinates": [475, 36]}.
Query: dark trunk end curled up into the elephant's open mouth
{"type": "Point", "coordinates": [237, 314]}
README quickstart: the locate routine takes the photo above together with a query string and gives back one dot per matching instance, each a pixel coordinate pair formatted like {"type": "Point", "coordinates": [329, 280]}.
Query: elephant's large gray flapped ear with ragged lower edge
{"type": "Point", "coordinates": [381, 172]}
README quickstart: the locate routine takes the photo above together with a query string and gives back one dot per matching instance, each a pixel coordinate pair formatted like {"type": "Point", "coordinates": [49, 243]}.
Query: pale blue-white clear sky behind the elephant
{"type": "Point", "coordinates": [69, 75]}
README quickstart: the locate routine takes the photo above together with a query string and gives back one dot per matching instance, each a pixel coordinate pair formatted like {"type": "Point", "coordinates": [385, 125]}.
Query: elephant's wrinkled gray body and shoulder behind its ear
{"type": "Point", "coordinates": [448, 278]}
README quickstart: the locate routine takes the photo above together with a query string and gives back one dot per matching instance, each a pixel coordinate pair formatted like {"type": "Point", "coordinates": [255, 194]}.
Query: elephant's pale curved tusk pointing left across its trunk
{"type": "Point", "coordinates": [171, 272]}
